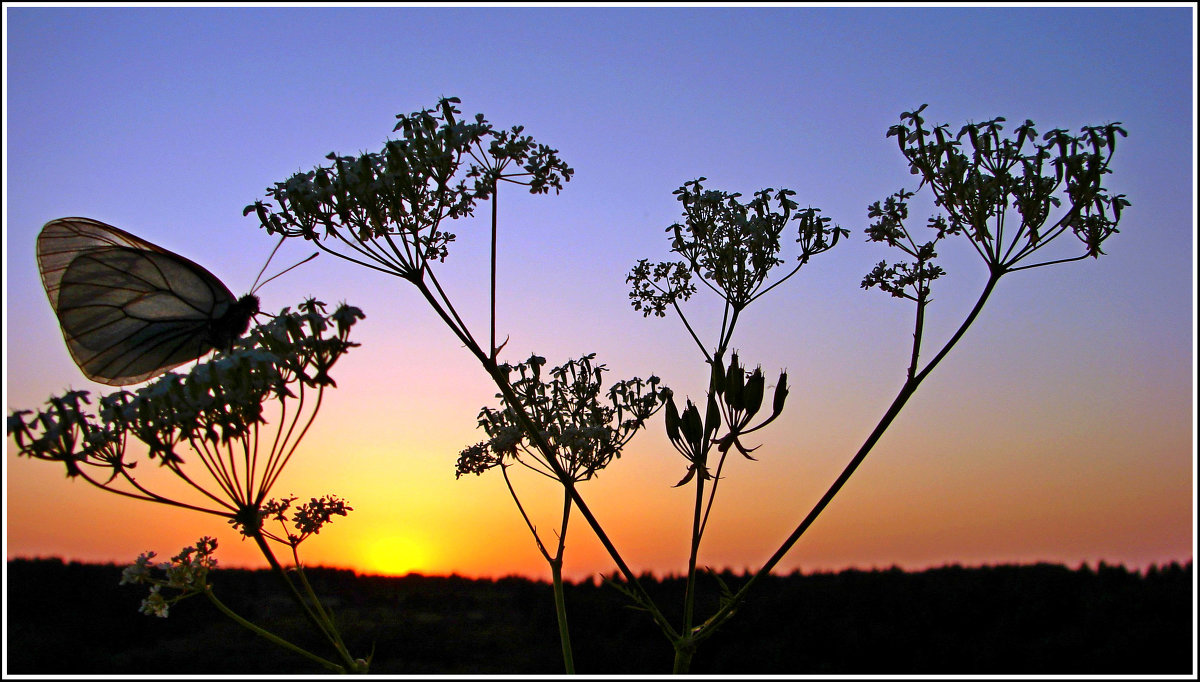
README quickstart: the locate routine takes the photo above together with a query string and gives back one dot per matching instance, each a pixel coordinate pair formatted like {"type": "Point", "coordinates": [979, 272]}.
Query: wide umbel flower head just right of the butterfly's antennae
{"type": "Point", "coordinates": [388, 207]}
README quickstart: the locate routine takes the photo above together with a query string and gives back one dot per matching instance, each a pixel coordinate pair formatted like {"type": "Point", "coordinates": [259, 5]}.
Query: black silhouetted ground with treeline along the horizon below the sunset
{"type": "Point", "coordinates": [1004, 620]}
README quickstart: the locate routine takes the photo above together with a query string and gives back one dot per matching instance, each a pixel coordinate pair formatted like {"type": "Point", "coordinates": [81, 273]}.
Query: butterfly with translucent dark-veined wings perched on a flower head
{"type": "Point", "coordinates": [131, 310]}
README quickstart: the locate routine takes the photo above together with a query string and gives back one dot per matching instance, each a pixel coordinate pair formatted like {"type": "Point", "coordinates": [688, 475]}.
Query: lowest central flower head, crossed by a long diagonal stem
{"type": "Point", "coordinates": [584, 433]}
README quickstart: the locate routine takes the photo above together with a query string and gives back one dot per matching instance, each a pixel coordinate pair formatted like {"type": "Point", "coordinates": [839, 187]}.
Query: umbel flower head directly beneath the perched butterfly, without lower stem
{"type": "Point", "coordinates": [226, 430]}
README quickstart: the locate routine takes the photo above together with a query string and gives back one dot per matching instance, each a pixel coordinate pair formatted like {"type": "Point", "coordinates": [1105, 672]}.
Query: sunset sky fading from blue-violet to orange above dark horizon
{"type": "Point", "coordinates": [1060, 429]}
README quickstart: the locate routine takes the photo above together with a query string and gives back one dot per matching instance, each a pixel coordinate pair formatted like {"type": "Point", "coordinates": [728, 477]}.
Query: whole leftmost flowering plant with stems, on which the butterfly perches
{"type": "Point", "coordinates": [213, 430]}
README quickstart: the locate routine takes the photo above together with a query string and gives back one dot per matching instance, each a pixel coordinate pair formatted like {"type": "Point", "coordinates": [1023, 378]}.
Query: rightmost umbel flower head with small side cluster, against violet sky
{"type": "Point", "coordinates": [999, 193]}
